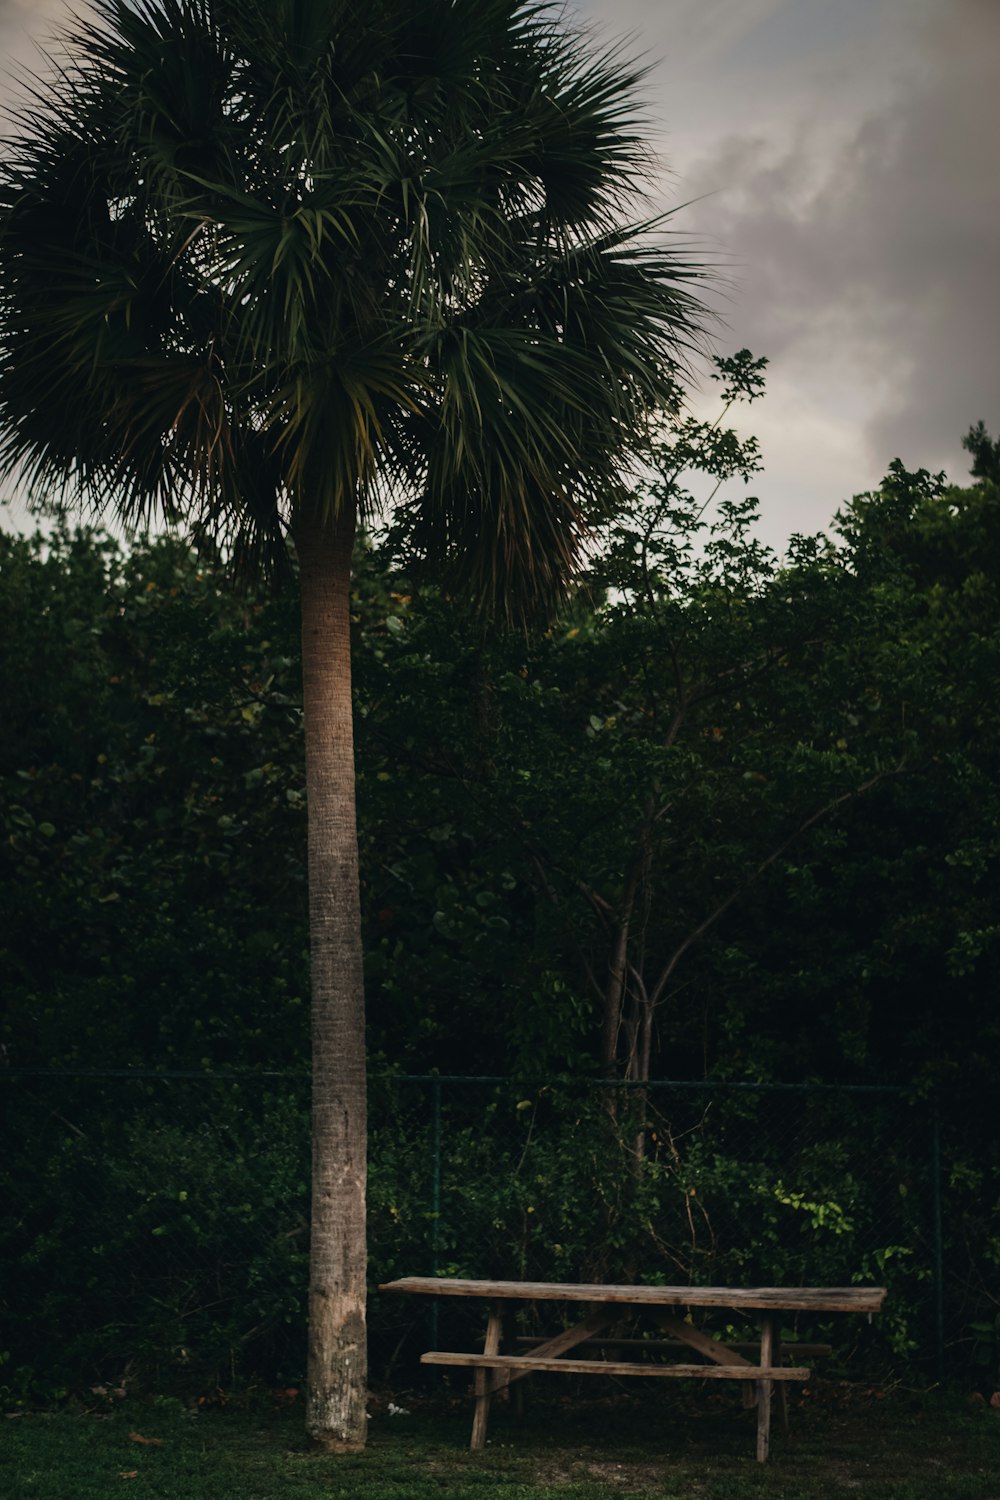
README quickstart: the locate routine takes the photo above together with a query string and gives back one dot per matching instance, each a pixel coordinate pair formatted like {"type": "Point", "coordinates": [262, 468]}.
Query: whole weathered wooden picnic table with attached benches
{"type": "Point", "coordinates": [605, 1306]}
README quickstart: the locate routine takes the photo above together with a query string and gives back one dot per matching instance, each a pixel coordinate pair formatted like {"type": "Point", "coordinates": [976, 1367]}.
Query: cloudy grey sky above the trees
{"type": "Point", "coordinates": [843, 160]}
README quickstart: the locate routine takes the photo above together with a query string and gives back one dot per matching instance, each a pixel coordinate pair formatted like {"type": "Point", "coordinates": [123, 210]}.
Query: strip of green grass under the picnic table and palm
{"type": "Point", "coordinates": [569, 1448]}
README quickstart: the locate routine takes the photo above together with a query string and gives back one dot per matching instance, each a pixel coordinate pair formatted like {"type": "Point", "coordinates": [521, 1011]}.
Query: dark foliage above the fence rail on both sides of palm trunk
{"type": "Point", "coordinates": [758, 794]}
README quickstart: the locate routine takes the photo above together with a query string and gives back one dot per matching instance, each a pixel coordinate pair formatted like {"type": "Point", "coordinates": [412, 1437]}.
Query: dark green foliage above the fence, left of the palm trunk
{"type": "Point", "coordinates": [152, 812]}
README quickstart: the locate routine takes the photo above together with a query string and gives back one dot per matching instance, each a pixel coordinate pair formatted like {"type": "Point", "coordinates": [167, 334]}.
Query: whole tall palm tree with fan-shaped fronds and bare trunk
{"type": "Point", "coordinates": [268, 266]}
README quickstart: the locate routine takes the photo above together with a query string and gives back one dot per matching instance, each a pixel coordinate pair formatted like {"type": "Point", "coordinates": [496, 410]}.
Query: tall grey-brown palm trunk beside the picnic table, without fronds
{"type": "Point", "coordinates": [338, 1354]}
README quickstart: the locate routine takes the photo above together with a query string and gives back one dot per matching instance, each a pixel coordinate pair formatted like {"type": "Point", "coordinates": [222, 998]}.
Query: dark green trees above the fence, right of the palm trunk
{"type": "Point", "coordinates": [639, 839]}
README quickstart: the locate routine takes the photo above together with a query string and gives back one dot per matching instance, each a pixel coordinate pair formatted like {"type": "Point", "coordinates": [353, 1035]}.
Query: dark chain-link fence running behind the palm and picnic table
{"type": "Point", "coordinates": [158, 1226]}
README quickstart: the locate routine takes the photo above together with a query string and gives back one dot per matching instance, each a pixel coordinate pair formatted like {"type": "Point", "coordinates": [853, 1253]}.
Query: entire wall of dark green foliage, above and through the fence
{"type": "Point", "coordinates": [731, 818]}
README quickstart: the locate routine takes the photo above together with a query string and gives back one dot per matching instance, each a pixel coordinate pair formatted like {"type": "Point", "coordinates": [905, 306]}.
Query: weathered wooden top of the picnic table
{"type": "Point", "coordinates": [786, 1300]}
